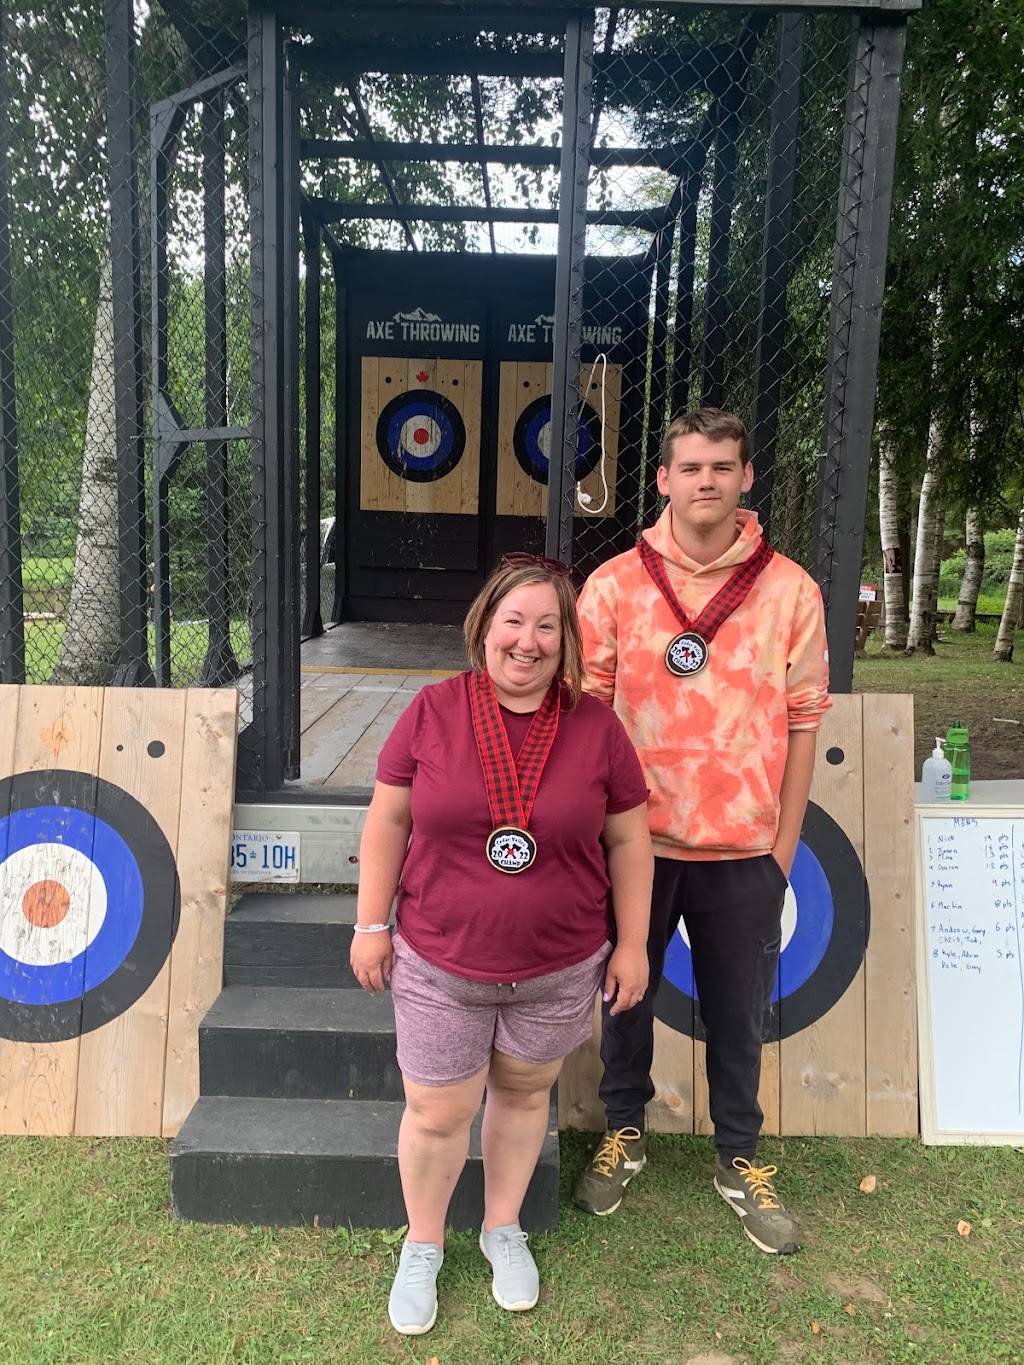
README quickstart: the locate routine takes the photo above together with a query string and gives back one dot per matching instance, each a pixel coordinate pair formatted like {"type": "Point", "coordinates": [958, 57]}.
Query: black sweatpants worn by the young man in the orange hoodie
{"type": "Point", "coordinates": [733, 911]}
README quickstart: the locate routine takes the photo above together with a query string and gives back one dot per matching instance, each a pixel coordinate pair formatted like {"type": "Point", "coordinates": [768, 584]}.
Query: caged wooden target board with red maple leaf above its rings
{"type": "Point", "coordinates": [420, 435]}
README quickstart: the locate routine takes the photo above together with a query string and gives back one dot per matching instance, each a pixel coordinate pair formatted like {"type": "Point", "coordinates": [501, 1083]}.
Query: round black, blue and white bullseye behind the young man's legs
{"type": "Point", "coordinates": [825, 932]}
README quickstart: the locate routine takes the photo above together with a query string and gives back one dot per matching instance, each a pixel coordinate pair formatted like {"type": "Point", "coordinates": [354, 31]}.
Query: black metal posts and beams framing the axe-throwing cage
{"type": "Point", "coordinates": [270, 750]}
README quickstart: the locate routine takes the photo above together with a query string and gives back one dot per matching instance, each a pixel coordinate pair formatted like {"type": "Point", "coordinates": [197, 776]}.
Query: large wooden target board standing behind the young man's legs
{"type": "Point", "coordinates": [840, 1034]}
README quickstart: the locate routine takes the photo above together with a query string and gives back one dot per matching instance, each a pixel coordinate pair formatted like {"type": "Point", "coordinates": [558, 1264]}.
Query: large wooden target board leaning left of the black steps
{"type": "Point", "coordinates": [113, 902]}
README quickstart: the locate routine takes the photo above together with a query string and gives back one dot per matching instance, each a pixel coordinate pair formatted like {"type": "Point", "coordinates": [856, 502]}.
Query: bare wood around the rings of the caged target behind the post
{"type": "Point", "coordinates": [521, 384]}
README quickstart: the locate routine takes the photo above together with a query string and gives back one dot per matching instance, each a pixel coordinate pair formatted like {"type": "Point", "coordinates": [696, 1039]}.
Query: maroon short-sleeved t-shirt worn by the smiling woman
{"type": "Point", "coordinates": [459, 913]}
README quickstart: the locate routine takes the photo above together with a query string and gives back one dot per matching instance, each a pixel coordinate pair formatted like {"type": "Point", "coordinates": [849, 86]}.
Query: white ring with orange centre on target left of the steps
{"type": "Point", "coordinates": [53, 904]}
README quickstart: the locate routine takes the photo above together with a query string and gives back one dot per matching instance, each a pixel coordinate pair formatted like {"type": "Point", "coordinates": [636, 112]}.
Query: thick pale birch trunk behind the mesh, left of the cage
{"type": "Point", "coordinates": [92, 637]}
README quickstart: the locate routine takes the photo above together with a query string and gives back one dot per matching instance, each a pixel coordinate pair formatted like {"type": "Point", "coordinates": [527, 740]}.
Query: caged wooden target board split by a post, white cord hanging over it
{"type": "Point", "coordinates": [525, 413]}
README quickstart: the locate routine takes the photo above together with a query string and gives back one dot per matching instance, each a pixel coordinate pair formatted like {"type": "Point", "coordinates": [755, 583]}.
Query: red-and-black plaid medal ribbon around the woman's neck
{"type": "Point", "coordinates": [511, 783]}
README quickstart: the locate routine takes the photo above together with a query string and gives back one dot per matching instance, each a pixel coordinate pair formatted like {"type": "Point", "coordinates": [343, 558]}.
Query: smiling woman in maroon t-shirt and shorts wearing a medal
{"type": "Point", "coordinates": [507, 807]}
